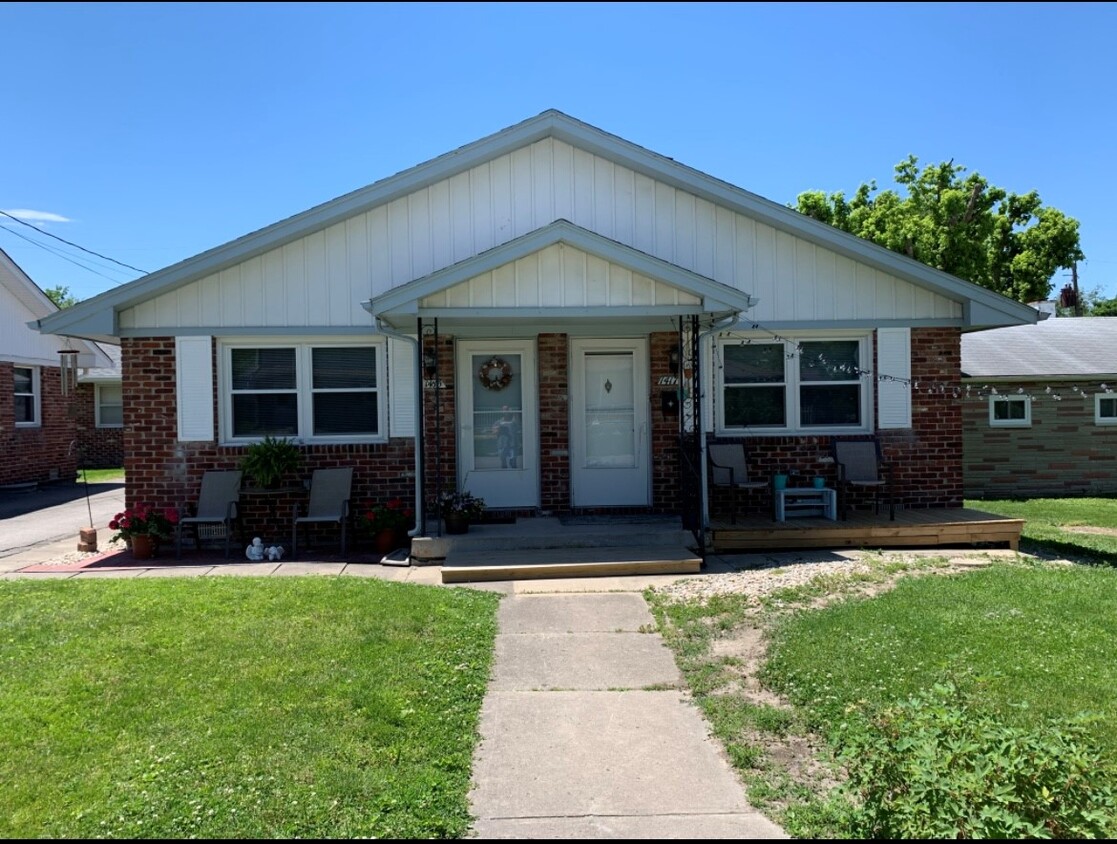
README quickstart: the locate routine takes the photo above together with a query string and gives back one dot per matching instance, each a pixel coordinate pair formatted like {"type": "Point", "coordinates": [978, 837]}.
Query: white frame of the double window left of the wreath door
{"type": "Point", "coordinates": [303, 386]}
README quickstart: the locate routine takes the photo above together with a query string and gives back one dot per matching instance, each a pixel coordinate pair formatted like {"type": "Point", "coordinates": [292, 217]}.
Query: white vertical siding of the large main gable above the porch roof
{"type": "Point", "coordinates": [321, 280]}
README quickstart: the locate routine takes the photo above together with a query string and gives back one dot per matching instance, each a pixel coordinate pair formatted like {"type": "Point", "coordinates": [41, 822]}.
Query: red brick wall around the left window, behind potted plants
{"type": "Point", "coordinates": [165, 473]}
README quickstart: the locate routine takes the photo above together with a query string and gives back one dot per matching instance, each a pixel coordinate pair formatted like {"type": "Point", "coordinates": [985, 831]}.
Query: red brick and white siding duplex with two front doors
{"type": "Point", "coordinates": [564, 276]}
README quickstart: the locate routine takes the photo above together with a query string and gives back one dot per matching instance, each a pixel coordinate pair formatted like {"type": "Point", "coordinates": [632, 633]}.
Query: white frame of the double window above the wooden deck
{"type": "Point", "coordinates": [793, 385]}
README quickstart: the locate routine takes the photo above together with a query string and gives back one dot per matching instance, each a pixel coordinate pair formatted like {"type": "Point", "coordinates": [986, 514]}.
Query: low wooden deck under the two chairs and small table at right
{"type": "Point", "coordinates": [912, 530]}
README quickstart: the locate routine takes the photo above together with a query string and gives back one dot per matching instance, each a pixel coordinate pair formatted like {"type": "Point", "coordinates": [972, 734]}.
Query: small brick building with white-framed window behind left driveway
{"type": "Point", "coordinates": [101, 417]}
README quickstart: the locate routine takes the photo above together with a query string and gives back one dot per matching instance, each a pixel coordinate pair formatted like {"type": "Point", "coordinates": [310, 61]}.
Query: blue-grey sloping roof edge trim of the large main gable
{"type": "Point", "coordinates": [97, 318]}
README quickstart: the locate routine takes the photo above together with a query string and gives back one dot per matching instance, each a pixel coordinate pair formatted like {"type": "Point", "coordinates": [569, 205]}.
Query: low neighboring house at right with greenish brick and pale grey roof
{"type": "Point", "coordinates": [1042, 418]}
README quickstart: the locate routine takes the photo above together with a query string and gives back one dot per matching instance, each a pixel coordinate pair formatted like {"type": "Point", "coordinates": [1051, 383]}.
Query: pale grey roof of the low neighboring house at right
{"type": "Point", "coordinates": [1063, 347]}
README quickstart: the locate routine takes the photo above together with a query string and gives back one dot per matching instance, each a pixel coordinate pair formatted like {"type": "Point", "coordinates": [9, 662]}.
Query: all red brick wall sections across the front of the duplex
{"type": "Point", "coordinates": [927, 459]}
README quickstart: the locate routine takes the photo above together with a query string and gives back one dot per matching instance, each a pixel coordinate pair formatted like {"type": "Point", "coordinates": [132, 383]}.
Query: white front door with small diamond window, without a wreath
{"type": "Point", "coordinates": [610, 463]}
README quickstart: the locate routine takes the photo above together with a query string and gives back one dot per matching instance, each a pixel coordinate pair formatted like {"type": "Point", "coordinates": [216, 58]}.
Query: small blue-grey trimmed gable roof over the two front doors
{"type": "Point", "coordinates": [698, 295]}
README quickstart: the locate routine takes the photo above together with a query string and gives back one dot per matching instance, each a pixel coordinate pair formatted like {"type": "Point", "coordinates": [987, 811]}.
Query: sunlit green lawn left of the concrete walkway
{"type": "Point", "coordinates": [230, 708]}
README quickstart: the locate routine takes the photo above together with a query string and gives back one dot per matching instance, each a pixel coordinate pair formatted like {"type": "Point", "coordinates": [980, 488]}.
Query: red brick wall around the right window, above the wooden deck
{"type": "Point", "coordinates": [927, 461]}
